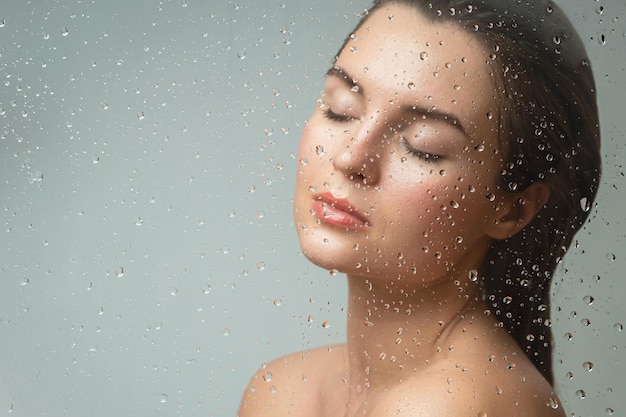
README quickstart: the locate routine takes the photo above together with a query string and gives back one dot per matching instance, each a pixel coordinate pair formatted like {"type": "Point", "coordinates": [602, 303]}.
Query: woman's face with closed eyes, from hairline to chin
{"type": "Point", "coordinates": [399, 162]}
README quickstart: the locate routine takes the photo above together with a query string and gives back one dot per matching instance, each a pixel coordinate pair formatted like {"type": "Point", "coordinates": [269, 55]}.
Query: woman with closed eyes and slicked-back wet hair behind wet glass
{"type": "Point", "coordinates": [452, 157]}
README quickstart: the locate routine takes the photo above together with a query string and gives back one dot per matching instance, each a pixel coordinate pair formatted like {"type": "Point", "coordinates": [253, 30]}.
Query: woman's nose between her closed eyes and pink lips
{"type": "Point", "coordinates": [360, 156]}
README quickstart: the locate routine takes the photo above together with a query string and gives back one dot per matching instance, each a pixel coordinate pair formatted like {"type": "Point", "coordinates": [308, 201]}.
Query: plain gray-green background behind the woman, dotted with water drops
{"type": "Point", "coordinates": [148, 262]}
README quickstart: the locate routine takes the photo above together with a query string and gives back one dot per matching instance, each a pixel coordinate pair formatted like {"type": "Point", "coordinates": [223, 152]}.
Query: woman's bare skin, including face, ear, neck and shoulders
{"type": "Point", "coordinates": [398, 188]}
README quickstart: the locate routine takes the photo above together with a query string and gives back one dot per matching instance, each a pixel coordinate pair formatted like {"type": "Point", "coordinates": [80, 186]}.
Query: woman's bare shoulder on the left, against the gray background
{"type": "Point", "coordinates": [296, 384]}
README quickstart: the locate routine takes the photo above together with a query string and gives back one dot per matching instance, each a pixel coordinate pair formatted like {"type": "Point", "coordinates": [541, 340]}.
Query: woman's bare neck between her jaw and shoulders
{"type": "Point", "coordinates": [395, 329]}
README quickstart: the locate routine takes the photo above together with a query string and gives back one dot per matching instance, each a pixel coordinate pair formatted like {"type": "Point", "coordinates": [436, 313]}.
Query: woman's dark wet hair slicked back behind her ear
{"type": "Point", "coordinates": [548, 131]}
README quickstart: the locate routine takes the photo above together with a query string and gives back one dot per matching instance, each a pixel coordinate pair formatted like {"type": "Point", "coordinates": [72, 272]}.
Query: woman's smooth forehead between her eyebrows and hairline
{"type": "Point", "coordinates": [397, 55]}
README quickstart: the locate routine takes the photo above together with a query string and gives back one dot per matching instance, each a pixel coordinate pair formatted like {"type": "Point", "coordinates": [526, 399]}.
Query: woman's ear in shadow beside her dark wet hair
{"type": "Point", "coordinates": [519, 209]}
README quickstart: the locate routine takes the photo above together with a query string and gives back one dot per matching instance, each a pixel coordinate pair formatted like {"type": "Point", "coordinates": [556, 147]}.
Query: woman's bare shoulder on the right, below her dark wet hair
{"type": "Point", "coordinates": [479, 382]}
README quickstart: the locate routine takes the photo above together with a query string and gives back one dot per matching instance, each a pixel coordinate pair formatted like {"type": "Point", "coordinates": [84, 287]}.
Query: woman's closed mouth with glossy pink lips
{"type": "Point", "coordinates": [338, 212]}
